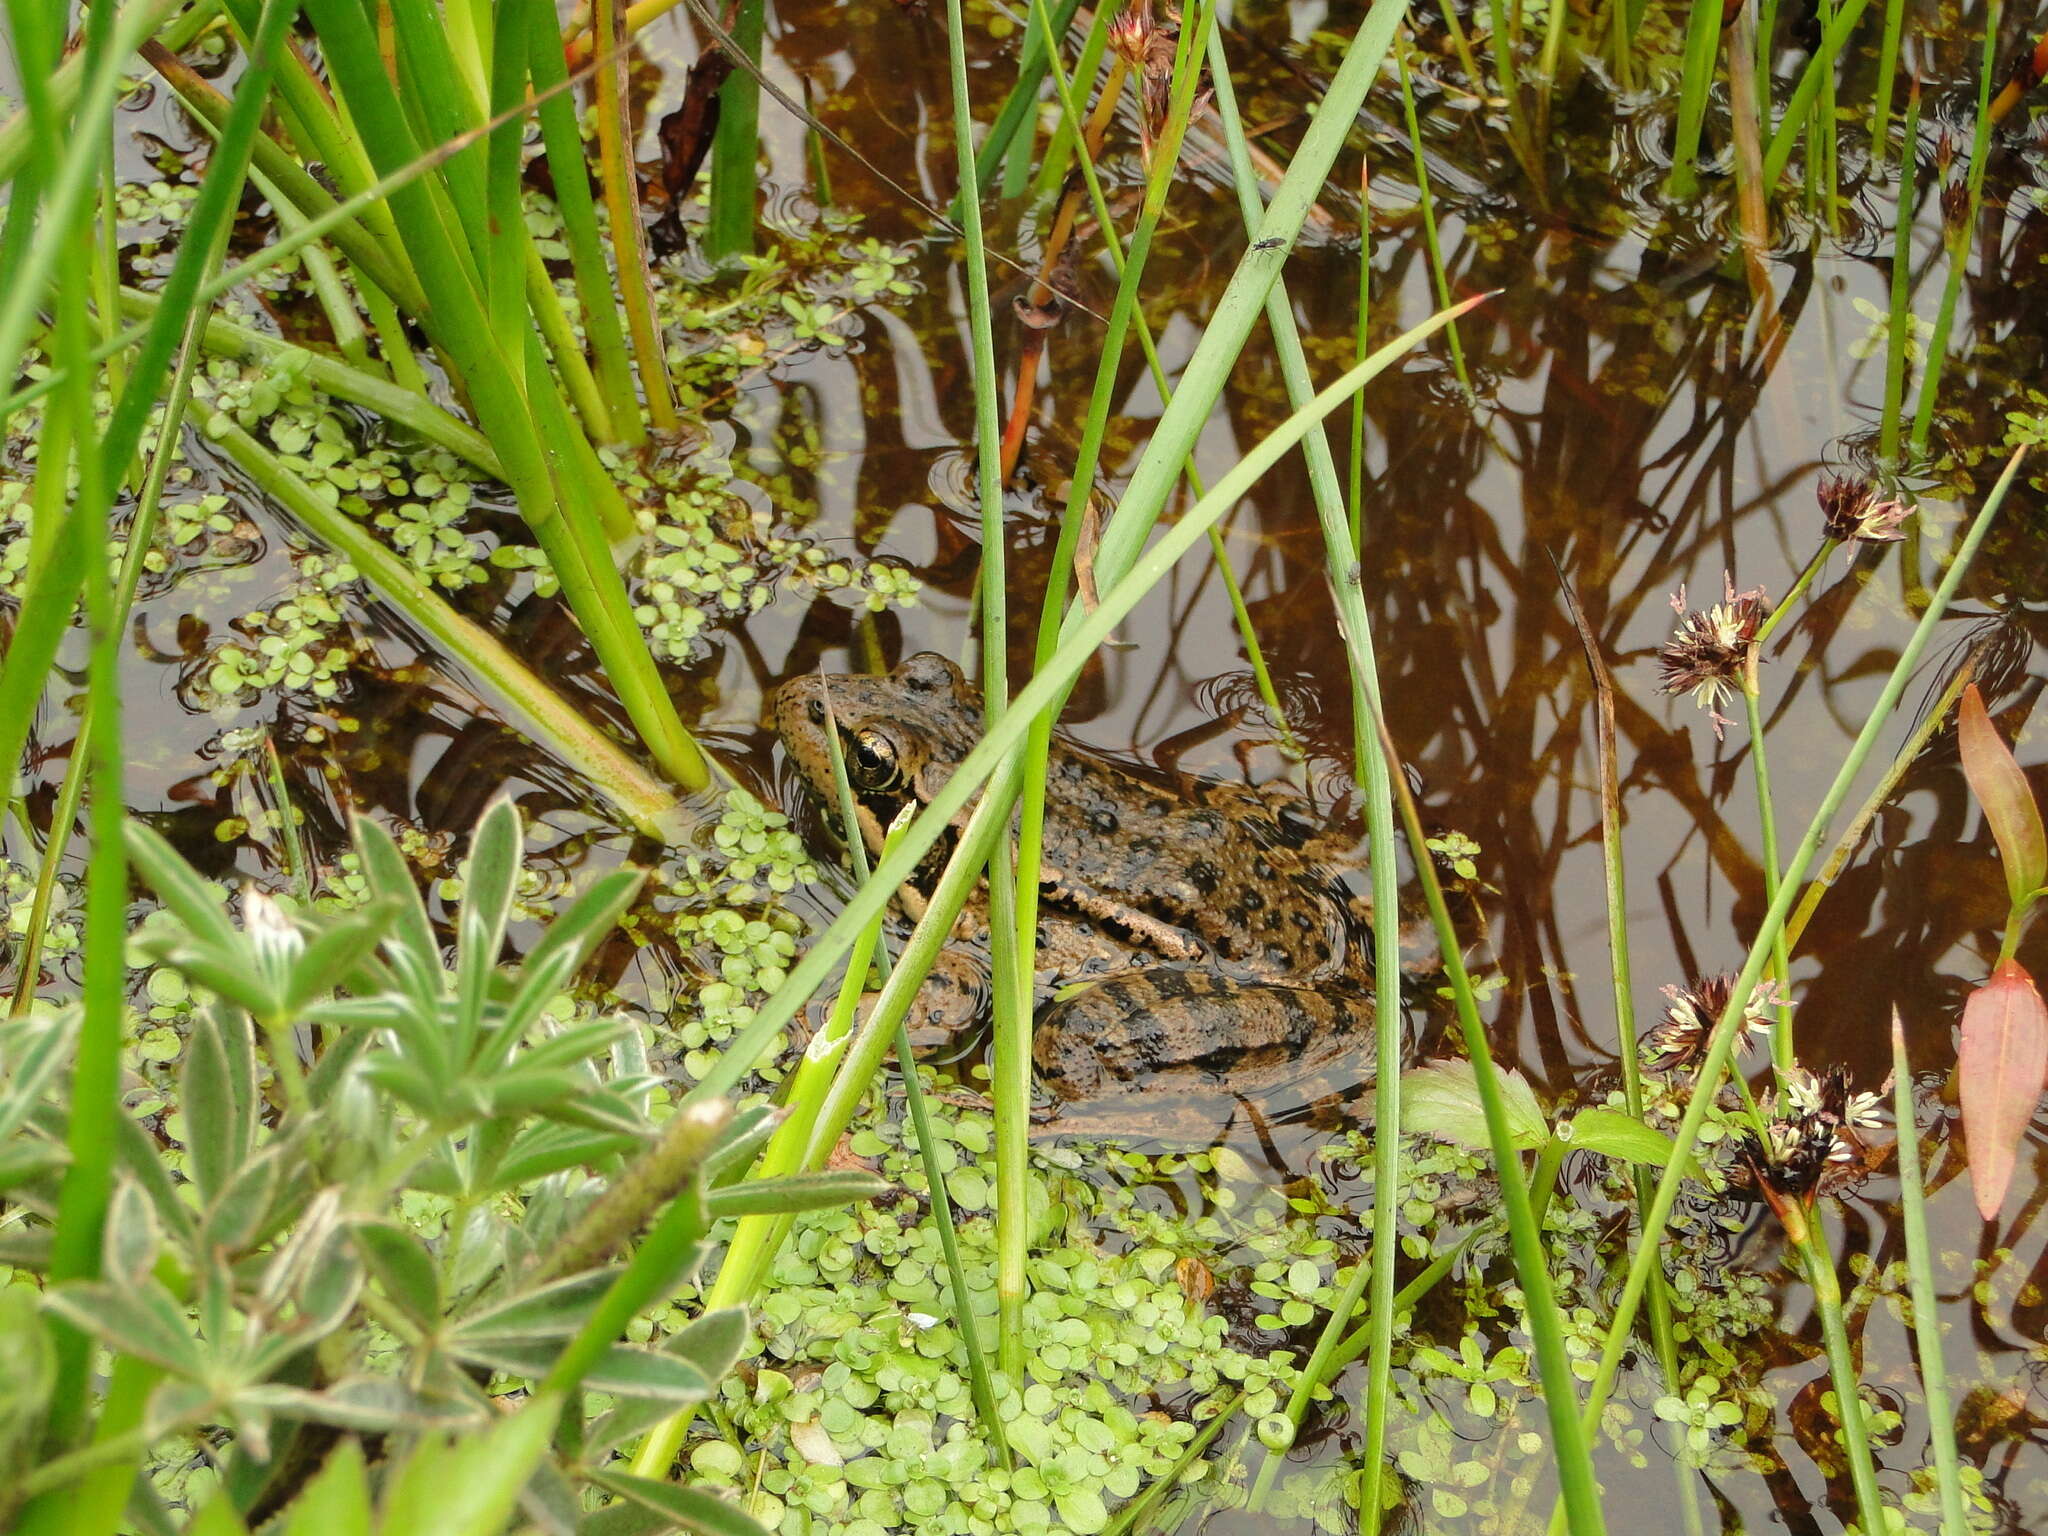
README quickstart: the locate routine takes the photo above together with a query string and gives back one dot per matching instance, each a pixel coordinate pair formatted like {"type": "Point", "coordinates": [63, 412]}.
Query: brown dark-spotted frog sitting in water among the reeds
{"type": "Point", "coordinates": [1213, 947]}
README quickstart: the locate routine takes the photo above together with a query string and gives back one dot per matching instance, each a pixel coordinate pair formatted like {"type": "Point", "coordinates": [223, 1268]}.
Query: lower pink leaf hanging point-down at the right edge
{"type": "Point", "coordinates": [2000, 1074]}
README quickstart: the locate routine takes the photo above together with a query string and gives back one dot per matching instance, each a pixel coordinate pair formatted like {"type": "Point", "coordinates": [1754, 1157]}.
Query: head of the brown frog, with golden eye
{"type": "Point", "coordinates": [900, 736]}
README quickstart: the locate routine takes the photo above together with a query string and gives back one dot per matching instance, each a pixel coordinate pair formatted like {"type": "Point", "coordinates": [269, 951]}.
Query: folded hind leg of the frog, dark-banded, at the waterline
{"type": "Point", "coordinates": [1170, 1031]}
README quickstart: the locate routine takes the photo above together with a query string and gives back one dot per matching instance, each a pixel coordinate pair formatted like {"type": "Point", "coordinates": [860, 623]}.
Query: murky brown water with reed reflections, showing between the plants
{"type": "Point", "coordinates": [1633, 423]}
